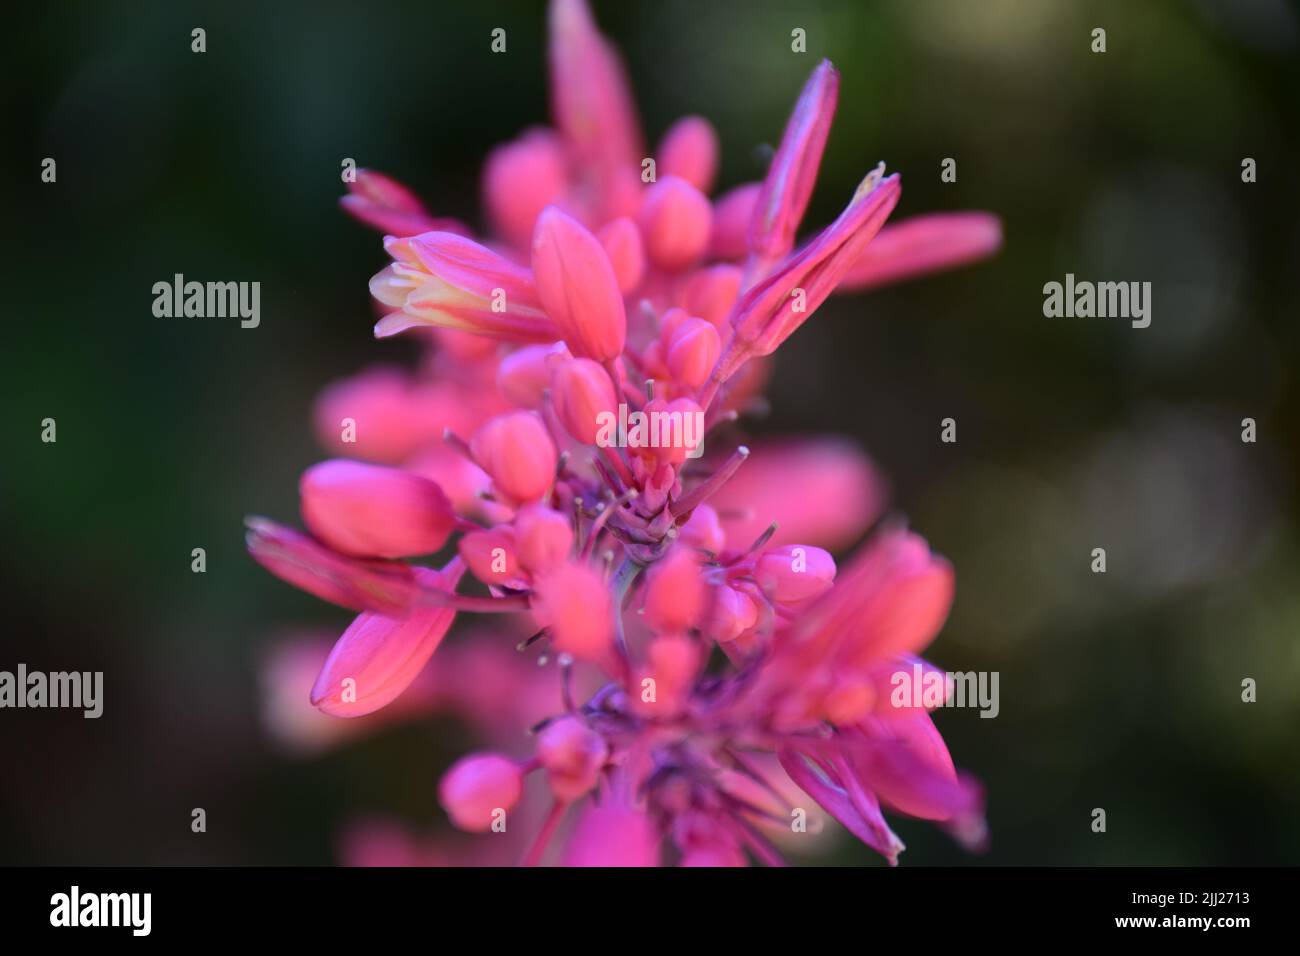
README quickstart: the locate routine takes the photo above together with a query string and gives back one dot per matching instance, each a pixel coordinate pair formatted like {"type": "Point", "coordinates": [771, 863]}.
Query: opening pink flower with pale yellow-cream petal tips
{"type": "Point", "coordinates": [449, 282]}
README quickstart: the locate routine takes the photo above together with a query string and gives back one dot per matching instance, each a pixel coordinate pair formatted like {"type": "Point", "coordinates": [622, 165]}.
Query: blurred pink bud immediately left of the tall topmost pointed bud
{"type": "Point", "coordinates": [523, 179]}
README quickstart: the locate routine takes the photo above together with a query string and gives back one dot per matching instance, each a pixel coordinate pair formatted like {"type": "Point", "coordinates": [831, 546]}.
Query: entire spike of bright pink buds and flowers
{"type": "Point", "coordinates": [707, 674]}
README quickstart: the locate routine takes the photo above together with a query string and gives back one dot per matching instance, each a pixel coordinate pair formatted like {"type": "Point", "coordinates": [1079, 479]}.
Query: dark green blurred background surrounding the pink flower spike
{"type": "Point", "coordinates": [1120, 691]}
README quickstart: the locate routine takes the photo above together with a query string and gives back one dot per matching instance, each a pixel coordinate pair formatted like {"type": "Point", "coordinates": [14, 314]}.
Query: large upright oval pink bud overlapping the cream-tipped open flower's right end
{"type": "Point", "coordinates": [578, 287]}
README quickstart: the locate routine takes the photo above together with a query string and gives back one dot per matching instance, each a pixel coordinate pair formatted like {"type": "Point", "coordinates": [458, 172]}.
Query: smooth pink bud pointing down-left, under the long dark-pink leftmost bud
{"type": "Point", "coordinates": [379, 657]}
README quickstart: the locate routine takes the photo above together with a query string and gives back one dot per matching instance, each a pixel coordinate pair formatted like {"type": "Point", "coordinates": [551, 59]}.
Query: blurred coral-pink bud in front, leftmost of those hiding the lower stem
{"type": "Point", "coordinates": [573, 602]}
